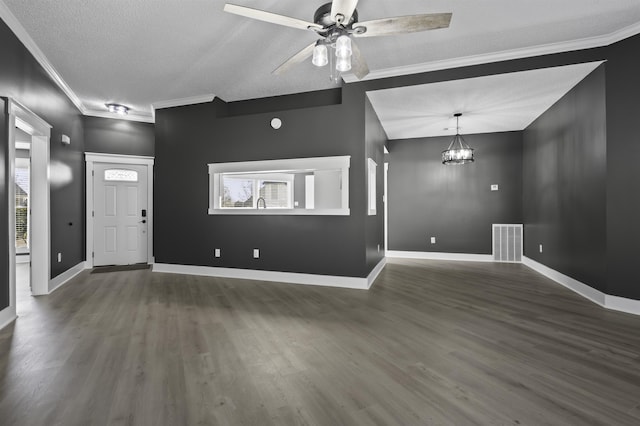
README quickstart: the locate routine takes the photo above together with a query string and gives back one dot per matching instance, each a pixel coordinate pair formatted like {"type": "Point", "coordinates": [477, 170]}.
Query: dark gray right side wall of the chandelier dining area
{"type": "Point", "coordinates": [564, 182]}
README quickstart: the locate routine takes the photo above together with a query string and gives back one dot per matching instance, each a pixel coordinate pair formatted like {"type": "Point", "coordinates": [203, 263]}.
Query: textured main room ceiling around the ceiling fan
{"type": "Point", "coordinates": [146, 52]}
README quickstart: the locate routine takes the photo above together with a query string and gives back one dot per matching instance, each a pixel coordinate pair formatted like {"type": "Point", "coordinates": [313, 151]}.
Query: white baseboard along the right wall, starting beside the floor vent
{"type": "Point", "coordinates": [615, 303]}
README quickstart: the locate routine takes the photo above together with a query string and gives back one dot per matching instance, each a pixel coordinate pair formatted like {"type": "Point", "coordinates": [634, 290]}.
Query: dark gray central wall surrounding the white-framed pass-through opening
{"type": "Point", "coordinates": [187, 138]}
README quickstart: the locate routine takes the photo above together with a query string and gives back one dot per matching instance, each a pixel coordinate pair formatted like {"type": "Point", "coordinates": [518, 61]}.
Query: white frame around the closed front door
{"type": "Point", "coordinates": [91, 158]}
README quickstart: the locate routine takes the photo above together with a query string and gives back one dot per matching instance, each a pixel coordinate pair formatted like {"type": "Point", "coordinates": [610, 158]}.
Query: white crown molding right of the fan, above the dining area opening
{"type": "Point", "coordinates": [546, 49]}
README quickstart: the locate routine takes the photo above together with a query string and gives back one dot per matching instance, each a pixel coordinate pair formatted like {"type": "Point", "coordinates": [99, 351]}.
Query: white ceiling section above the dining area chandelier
{"type": "Point", "coordinates": [497, 103]}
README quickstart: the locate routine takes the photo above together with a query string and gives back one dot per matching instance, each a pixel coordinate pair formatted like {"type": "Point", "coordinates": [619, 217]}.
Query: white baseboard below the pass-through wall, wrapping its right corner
{"type": "Point", "coordinates": [284, 277]}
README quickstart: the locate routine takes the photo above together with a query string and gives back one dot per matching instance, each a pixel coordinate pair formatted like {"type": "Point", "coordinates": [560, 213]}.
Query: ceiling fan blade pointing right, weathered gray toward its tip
{"type": "Point", "coordinates": [403, 24]}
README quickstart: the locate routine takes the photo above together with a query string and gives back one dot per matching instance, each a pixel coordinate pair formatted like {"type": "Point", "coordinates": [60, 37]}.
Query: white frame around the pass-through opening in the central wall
{"type": "Point", "coordinates": [341, 163]}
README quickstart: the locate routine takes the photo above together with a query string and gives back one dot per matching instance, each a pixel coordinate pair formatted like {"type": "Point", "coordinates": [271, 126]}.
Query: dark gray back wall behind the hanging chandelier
{"type": "Point", "coordinates": [455, 204]}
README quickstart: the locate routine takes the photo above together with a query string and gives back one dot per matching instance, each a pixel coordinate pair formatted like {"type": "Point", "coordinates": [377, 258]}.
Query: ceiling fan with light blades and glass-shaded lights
{"type": "Point", "coordinates": [336, 23]}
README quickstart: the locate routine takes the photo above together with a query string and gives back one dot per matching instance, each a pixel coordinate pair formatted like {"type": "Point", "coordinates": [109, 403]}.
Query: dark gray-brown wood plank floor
{"type": "Point", "coordinates": [432, 343]}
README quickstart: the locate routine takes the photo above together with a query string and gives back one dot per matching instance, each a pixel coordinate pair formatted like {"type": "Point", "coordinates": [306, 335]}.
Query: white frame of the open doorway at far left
{"type": "Point", "coordinates": [40, 206]}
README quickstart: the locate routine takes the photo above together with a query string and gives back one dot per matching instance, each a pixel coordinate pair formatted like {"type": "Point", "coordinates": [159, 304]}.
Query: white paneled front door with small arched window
{"type": "Point", "coordinates": [119, 214]}
